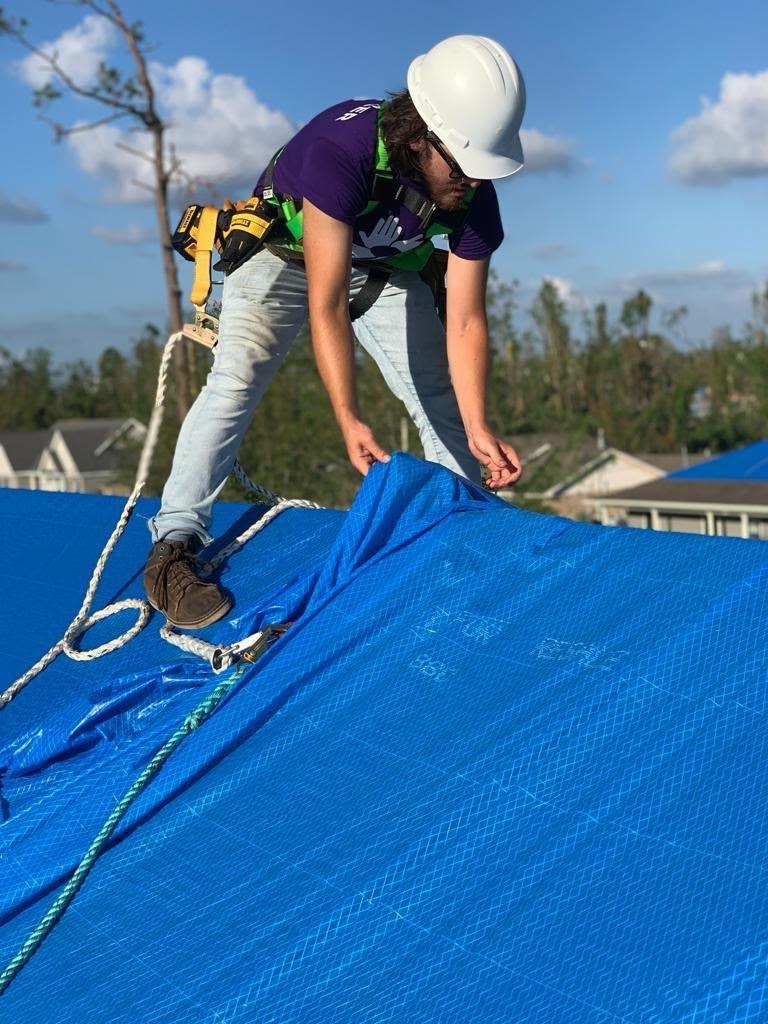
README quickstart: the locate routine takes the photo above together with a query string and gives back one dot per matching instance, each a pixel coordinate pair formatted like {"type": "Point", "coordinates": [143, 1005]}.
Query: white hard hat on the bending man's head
{"type": "Point", "coordinates": [472, 95]}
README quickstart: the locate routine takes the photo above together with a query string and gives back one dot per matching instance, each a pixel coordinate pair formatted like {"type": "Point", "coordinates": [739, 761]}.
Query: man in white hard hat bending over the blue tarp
{"type": "Point", "coordinates": [359, 193]}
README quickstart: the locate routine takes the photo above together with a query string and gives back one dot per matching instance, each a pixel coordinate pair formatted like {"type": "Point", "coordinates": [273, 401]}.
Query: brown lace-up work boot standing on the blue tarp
{"type": "Point", "coordinates": [174, 587]}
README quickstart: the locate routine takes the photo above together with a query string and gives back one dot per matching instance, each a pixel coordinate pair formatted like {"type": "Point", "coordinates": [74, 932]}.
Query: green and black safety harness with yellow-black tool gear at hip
{"type": "Point", "coordinates": [276, 221]}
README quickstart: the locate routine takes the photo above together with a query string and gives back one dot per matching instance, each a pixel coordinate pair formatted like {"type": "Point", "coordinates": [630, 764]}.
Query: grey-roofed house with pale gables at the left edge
{"type": "Point", "coordinates": [73, 455]}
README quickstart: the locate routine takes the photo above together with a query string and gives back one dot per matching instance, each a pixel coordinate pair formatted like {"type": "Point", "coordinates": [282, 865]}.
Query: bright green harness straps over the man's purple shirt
{"type": "Point", "coordinates": [385, 179]}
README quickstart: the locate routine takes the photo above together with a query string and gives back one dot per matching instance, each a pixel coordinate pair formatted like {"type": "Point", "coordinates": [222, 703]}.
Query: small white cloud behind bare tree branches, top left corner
{"type": "Point", "coordinates": [79, 53]}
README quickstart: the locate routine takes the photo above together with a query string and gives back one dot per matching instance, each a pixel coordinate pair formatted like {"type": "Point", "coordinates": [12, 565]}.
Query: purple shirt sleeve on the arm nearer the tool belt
{"type": "Point", "coordinates": [334, 181]}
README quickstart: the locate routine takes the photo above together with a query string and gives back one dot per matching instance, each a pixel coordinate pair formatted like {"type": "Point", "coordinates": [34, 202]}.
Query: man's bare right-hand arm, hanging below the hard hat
{"type": "Point", "coordinates": [468, 361]}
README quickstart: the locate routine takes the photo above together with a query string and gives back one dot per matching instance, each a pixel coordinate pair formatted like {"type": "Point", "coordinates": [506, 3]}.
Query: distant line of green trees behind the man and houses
{"type": "Point", "coordinates": [627, 377]}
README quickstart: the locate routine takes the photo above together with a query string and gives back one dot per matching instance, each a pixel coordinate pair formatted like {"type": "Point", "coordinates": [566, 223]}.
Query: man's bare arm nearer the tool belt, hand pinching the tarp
{"type": "Point", "coordinates": [328, 248]}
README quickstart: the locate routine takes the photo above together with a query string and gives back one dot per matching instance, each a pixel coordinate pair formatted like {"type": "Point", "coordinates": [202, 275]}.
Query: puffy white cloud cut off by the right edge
{"type": "Point", "coordinates": [729, 139]}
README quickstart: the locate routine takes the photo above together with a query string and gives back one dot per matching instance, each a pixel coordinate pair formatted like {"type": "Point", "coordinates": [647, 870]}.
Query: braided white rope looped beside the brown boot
{"type": "Point", "coordinates": [83, 621]}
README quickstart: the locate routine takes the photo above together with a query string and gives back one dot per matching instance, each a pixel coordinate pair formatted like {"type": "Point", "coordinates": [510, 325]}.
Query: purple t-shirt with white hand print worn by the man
{"type": "Point", "coordinates": [331, 162]}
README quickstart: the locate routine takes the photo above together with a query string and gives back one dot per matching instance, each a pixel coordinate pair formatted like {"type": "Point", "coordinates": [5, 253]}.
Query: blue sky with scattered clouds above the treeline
{"type": "Point", "coordinates": [646, 140]}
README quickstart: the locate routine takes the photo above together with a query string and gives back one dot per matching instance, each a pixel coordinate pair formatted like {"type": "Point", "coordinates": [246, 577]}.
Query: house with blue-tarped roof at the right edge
{"type": "Point", "coordinates": [727, 496]}
